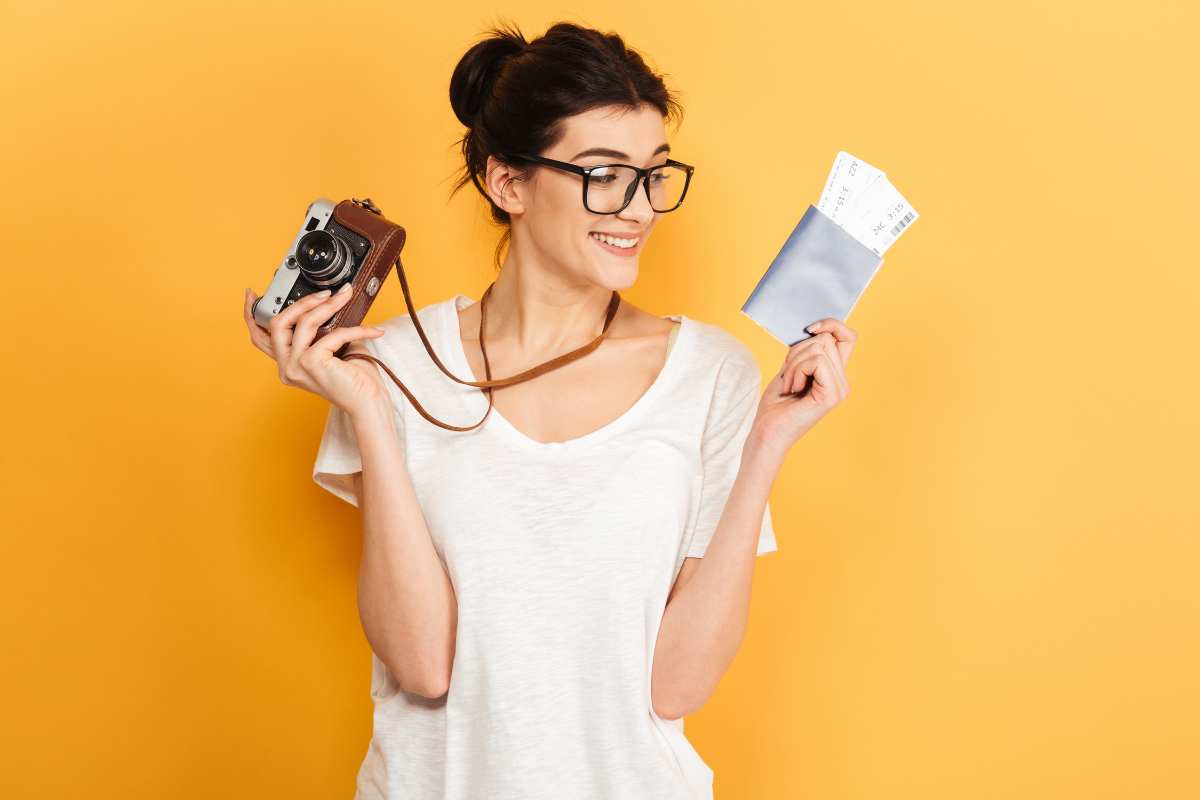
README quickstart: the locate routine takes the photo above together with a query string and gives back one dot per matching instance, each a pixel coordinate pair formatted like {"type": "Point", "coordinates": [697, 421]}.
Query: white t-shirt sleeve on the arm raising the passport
{"type": "Point", "coordinates": [731, 413]}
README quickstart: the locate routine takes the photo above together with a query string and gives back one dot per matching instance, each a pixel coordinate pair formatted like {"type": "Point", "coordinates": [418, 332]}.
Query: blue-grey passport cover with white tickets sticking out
{"type": "Point", "coordinates": [821, 272]}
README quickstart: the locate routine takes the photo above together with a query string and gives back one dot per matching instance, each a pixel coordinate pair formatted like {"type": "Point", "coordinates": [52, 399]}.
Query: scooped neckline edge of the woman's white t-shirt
{"type": "Point", "coordinates": [497, 423]}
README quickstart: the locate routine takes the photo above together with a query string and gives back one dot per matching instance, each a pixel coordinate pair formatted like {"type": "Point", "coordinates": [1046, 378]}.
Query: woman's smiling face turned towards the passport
{"type": "Point", "coordinates": [553, 228]}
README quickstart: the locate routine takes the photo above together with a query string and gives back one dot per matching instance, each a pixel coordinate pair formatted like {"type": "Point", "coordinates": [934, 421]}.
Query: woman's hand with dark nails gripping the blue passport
{"type": "Point", "coordinates": [787, 411]}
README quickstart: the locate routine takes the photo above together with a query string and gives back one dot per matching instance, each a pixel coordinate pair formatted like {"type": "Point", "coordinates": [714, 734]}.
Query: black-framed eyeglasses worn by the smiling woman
{"type": "Point", "coordinates": [609, 189]}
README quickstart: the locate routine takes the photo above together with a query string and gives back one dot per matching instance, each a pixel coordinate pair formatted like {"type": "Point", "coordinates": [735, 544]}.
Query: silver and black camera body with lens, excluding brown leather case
{"type": "Point", "coordinates": [325, 255]}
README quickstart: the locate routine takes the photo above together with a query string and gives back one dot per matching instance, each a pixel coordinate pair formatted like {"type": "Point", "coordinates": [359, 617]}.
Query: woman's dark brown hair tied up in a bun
{"type": "Point", "coordinates": [513, 94]}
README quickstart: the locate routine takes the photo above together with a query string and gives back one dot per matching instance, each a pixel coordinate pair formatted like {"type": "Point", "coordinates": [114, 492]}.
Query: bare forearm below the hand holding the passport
{"type": "Point", "coordinates": [706, 619]}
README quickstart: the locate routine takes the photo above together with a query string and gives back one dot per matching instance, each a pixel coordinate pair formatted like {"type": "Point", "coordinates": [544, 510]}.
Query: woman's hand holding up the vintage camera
{"type": "Point", "coordinates": [353, 386]}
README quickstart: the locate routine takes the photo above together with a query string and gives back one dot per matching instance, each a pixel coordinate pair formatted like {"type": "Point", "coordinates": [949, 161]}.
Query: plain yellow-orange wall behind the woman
{"type": "Point", "coordinates": [986, 586]}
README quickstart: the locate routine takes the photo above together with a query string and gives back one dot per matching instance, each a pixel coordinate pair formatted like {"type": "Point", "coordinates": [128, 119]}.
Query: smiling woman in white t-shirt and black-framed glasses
{"type": "Point", "coordinates": [547, 596]}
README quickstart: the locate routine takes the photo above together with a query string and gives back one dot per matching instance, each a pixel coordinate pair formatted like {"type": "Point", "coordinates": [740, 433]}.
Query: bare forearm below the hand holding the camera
{"type": "Point", "coordinates": [406, 599]}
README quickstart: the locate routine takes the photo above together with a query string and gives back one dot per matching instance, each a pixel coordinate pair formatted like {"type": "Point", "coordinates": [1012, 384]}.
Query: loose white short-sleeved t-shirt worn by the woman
{"type": "Point", "coordinates": [562, 556]}
